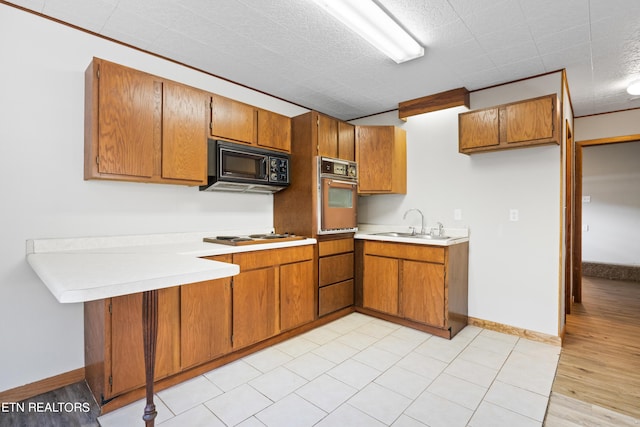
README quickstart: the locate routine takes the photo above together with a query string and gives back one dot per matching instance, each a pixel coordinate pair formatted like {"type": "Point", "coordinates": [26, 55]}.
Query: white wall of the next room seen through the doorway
{"type": "Point", "coordinates": [611, 179]}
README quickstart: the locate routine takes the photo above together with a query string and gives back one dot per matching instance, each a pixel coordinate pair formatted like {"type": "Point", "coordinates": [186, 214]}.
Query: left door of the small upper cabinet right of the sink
{"type": "Point", "coordinates": [478, 129]}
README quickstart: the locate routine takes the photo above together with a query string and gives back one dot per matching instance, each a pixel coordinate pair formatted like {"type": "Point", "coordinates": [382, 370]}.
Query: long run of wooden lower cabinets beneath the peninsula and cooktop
{"type": "Point", "coordinates": [274, 292]}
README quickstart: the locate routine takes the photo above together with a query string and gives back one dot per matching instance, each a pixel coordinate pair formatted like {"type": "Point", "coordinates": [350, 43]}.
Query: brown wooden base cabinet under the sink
{"type": "Point", "coordinates": [419, 284]}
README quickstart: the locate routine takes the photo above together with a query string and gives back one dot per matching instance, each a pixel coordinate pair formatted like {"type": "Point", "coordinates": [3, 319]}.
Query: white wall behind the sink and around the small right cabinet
{"type": "Point", "coordinates": [513, 266]}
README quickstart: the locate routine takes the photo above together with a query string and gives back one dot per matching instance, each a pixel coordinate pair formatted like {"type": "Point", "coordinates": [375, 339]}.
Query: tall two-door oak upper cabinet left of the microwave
{"type": "Point", "coordinates": [139, 127]}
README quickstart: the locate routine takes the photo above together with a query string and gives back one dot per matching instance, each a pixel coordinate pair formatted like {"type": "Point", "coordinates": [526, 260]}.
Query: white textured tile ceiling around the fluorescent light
{"type": "Point", "coordinates": [293, 50]}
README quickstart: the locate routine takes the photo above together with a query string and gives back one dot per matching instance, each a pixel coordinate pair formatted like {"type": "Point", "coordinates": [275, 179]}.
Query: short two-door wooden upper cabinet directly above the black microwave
{"type": "Point", "coordinates": [238, 122]}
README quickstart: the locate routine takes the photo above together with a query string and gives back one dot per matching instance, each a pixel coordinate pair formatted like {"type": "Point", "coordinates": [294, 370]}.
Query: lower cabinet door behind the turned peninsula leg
{"type": "Point", "coordinates": [127, 354]}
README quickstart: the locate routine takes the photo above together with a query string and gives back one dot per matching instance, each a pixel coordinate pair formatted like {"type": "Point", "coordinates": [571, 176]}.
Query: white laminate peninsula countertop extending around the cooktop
{"type": "Point", "coordinates": [86, 269]}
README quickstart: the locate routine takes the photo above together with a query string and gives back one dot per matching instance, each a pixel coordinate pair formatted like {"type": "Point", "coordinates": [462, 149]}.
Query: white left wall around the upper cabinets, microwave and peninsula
{"type": "Point", "coordinates": [44, 194]}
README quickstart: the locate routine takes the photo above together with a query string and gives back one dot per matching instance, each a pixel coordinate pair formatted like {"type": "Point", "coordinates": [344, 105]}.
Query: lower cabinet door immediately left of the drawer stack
{"type": "Point", "coordinates": [297, 289]}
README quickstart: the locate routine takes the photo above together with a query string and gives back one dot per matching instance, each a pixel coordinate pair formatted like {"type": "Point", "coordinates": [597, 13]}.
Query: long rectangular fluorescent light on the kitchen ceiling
{"type": "Point", "coordinates": [367, 19]}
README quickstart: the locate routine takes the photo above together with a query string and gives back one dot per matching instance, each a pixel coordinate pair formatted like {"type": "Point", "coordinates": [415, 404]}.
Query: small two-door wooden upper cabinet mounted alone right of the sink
{"type": "Point", "coordinates": [519, 124]}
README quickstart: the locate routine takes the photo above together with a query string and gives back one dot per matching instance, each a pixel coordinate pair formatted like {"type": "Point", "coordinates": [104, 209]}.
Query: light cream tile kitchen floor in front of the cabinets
{"type": "Point", "coordinates": [363, 371]}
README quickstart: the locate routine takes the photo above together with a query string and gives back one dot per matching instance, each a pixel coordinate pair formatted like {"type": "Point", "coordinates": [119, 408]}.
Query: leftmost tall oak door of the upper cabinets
{"type": "Point", "coordinates": [128, 110]}
